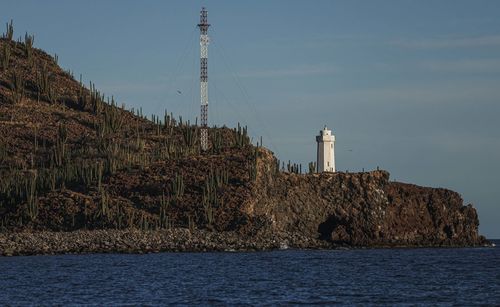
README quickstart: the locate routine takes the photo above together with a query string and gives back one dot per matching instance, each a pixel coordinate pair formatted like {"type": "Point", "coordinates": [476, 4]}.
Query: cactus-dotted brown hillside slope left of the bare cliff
{"type": "Point", "coordinates": [71, 159]}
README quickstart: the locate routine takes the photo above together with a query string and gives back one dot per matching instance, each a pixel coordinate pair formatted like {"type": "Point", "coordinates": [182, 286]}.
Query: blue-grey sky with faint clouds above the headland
{"type": "Point", "coordinates": [411, 86]}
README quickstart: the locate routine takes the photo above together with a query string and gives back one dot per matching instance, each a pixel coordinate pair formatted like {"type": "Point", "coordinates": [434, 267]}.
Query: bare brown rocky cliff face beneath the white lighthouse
{"type": "Point", "coordinates": [362, 209]}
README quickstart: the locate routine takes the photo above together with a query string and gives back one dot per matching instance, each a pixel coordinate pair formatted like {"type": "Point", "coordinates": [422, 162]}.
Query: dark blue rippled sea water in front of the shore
{"type": "Point", "coordinates": [383, 276]}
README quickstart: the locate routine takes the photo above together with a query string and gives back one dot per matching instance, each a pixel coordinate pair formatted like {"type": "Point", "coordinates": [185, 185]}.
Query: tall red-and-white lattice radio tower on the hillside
{"type": "Point", "coordinates": [203, 25]}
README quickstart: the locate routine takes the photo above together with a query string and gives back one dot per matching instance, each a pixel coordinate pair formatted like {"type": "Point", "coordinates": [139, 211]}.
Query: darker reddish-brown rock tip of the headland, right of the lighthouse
{"type": "Point", "coordinates": [429, 216]}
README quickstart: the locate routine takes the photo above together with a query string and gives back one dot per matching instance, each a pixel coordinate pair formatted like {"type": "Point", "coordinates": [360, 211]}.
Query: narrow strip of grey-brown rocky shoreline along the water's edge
{"type": "Point", "coordinates": [173, 240]}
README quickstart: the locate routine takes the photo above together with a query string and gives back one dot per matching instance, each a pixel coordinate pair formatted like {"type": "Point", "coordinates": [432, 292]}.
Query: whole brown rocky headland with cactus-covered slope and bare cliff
{"type": "Point", "coordinates": [72, 159]}
